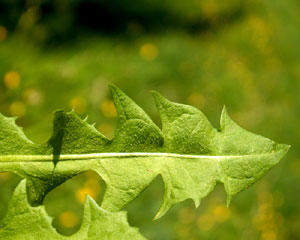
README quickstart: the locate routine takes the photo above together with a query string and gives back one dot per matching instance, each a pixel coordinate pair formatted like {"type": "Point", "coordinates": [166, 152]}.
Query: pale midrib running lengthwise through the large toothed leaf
{"type": "Point", "coordinates": [67, 157]}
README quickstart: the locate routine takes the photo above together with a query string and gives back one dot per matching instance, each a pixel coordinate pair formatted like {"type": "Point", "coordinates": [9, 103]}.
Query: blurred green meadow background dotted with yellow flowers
{"type": "Point", "coordinates": [244, 54]}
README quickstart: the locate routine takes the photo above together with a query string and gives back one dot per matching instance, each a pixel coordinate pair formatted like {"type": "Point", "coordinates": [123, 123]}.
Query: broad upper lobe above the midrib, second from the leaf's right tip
{"type": "Point", "coordinates": [186, 129]}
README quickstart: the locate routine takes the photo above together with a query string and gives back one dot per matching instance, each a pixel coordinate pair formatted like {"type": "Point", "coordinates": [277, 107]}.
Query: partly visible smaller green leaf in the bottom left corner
{"type": "Point", "coordinates": [23, 221]}
